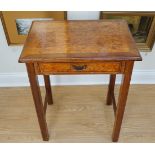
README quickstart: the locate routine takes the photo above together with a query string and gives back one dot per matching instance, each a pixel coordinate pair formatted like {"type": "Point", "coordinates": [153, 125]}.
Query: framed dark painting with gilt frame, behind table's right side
{"type": "Point", "coordinates": [141, 25]}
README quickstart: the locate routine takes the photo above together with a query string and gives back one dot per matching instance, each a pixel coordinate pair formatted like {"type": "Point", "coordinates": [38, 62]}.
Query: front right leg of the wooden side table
{"type": "Point", "coordinates": [122, 100]}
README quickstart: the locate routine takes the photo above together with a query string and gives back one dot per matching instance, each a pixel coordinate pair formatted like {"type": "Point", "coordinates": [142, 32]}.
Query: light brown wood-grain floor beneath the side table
{"type": "Point", "coordinates": [79, 114]}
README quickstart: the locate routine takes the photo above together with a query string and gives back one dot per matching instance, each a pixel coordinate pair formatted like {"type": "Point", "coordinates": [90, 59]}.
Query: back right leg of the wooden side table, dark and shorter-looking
{"type": "Point", "coordinates": [111, 89]}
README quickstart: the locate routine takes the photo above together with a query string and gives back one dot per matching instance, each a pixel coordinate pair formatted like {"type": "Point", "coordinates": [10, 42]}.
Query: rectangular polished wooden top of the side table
{"type": "Point", "coordinates": [66, 41]}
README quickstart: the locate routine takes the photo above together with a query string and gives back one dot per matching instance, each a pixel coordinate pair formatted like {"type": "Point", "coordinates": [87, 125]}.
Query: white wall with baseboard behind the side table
{"type": "Point", "coordinates": [14, 74]}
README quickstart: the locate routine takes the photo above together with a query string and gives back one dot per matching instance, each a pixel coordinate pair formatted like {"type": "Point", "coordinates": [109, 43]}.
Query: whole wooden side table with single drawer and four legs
{"type": "Point", "coordinates": [80, 47]}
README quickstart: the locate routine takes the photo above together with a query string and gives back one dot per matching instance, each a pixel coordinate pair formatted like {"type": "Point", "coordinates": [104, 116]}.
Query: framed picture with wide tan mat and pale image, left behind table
{"type": "Point", "coordinates": [17, 23]}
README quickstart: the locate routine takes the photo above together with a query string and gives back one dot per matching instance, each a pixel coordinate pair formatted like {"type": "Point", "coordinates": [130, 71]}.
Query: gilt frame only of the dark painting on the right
{"type": "Point", "coordinates": [150, 38]}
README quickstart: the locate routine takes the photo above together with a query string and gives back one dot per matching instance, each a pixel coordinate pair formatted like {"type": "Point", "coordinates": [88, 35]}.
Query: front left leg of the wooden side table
{"type": "Point", "coordinates": [37, 100]}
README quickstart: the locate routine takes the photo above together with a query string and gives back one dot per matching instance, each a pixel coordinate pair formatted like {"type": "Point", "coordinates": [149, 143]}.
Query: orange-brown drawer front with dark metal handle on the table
{"type": "Point", "coordinates": [92, 67]}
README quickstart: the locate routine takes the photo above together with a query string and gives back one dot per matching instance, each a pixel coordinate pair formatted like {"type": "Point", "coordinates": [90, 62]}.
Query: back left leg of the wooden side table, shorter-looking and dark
{"type": "Point", "coordinates": [48, 89]}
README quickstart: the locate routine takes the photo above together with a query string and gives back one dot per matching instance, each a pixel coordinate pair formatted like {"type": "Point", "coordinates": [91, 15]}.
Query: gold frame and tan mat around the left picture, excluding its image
{"type": "Point", "coordinates": [9, 22]}
